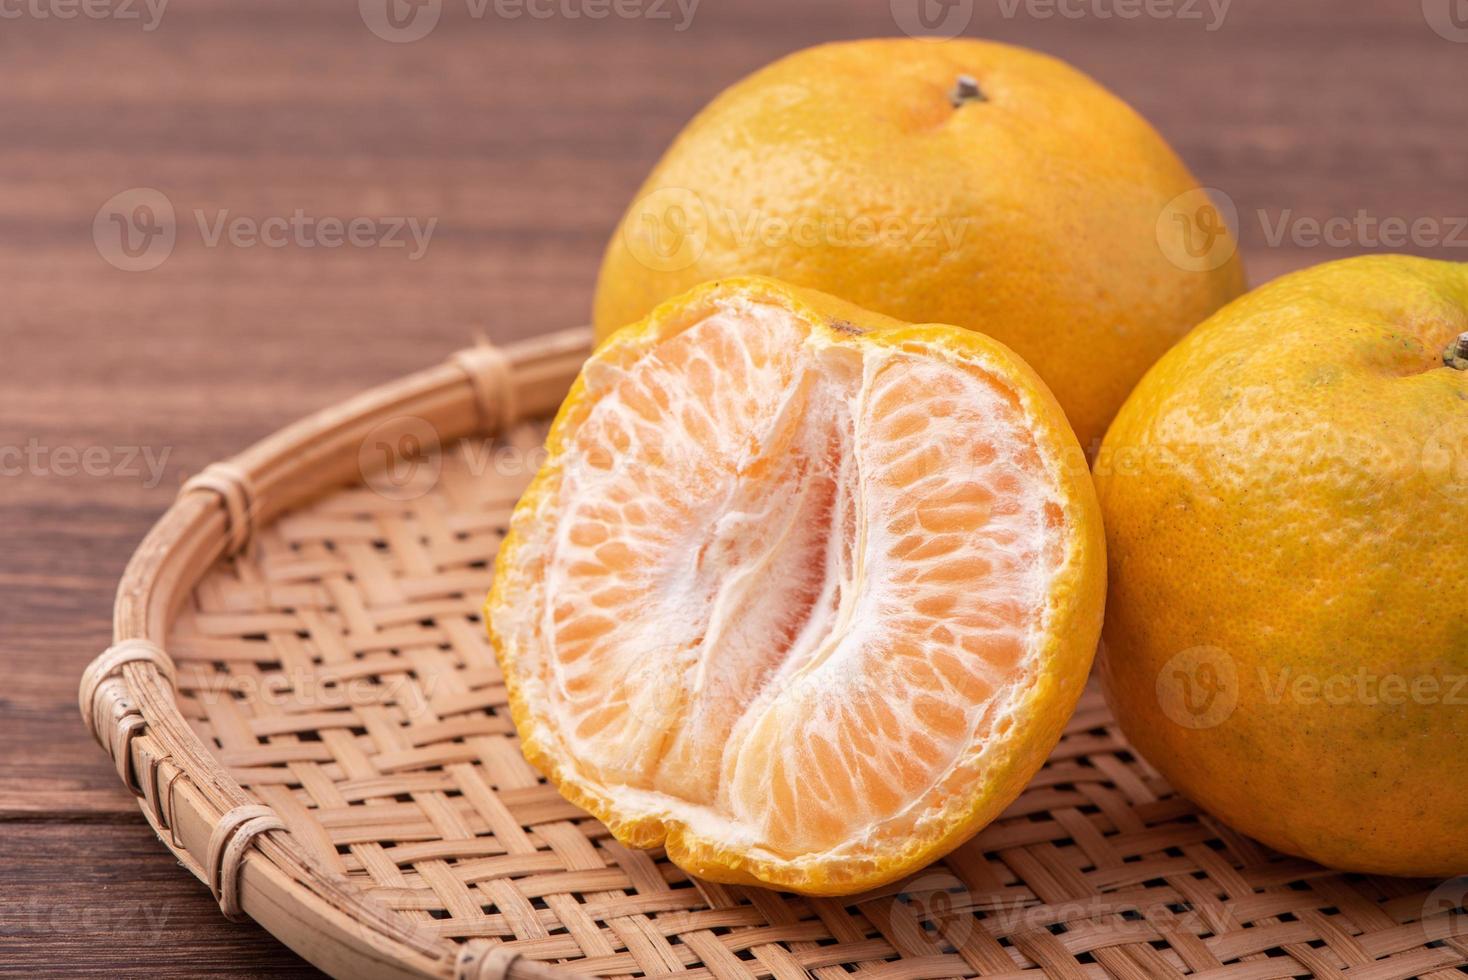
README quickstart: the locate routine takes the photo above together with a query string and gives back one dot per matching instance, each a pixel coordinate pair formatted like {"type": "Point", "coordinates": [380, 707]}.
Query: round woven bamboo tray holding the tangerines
{"type": "Point", "coordinates": [305, 702]}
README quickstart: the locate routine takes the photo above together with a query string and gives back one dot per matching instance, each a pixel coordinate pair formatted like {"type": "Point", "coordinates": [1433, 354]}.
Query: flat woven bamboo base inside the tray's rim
{"type": "Point", "coordinates": [340, 671]}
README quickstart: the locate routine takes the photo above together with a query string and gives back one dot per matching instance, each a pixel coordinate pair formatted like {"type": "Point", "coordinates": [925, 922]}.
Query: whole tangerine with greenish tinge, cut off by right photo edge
{"type": "Point", "coordinates": [1287, 508]}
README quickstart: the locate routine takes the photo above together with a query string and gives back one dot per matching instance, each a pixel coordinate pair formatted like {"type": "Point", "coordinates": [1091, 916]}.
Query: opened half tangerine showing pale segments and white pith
{"type": "Point", "coordinates": [802, 593]}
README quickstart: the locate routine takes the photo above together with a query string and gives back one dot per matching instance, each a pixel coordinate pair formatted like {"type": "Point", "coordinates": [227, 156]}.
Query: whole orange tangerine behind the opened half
{"type": "Point", "coordinates": [1037, 215]}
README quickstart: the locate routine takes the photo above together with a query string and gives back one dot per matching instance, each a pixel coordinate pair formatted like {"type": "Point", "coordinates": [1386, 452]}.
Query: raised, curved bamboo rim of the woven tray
{"type": "Point", "coordinates": [127, 696]}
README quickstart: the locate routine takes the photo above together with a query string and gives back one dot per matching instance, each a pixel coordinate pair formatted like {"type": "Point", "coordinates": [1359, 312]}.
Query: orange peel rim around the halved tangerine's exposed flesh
{"type": "Point", "coordinates": [1074, 612]}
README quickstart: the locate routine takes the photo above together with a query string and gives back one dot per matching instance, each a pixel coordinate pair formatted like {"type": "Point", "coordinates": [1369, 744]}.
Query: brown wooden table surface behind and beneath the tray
{"type": "Point", "coordinates": [525, 139]}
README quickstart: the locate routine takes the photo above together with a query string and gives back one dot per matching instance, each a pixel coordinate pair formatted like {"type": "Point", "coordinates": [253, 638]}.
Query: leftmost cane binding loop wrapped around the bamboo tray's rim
{"type": "Point", "coordinates": [111, 714]}
